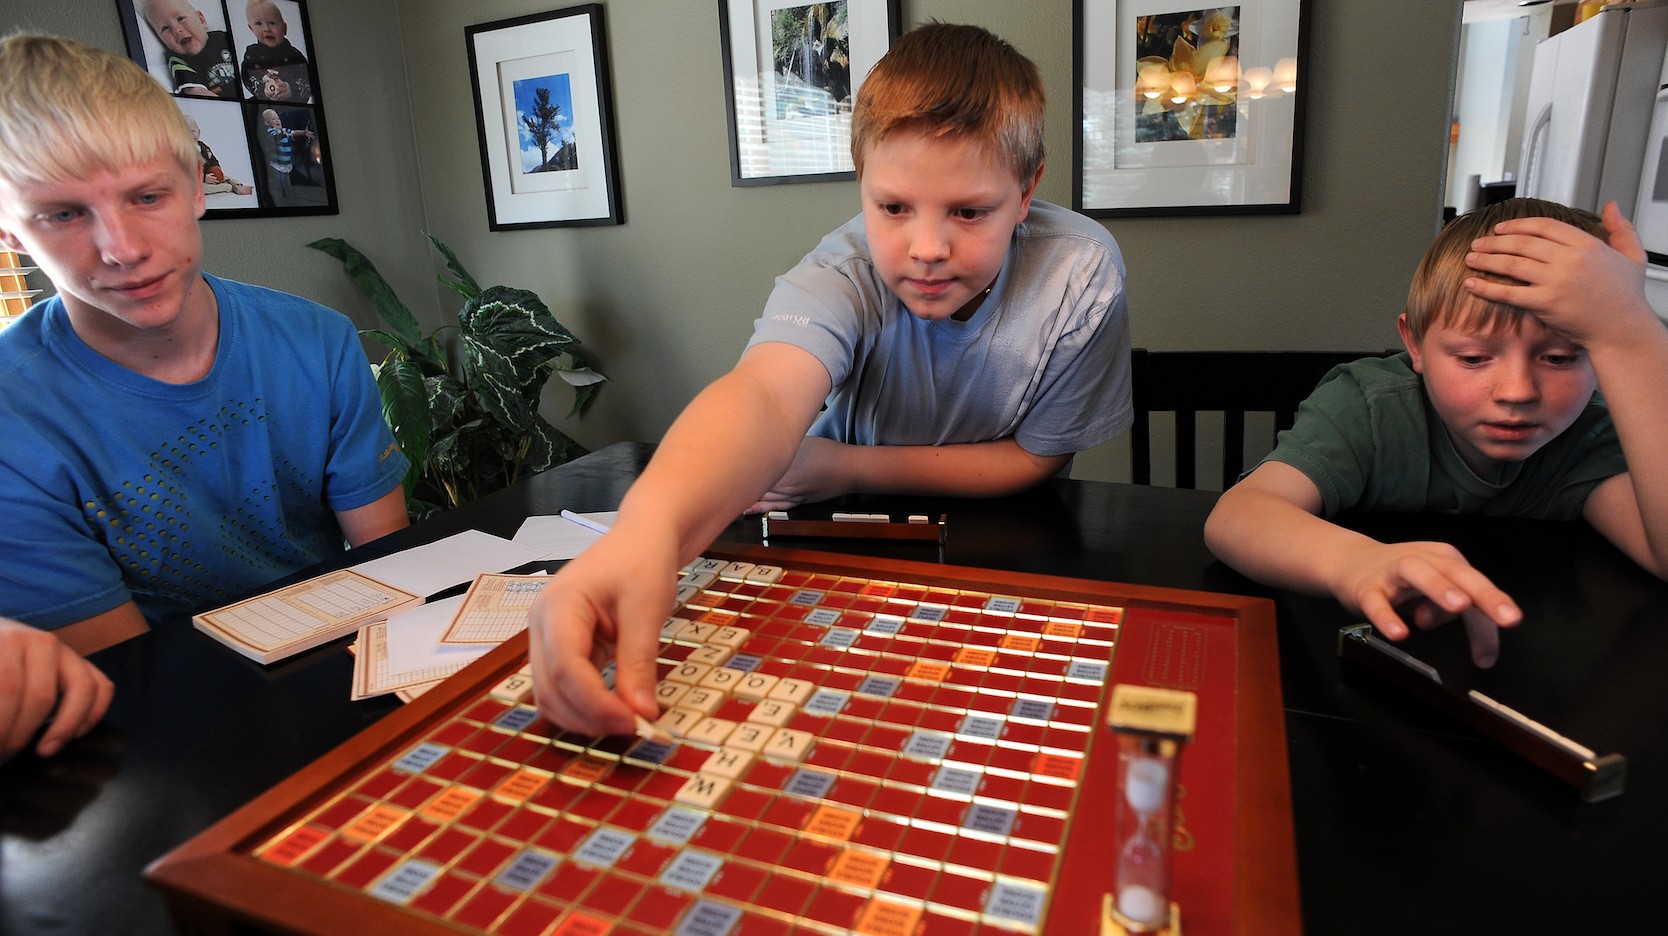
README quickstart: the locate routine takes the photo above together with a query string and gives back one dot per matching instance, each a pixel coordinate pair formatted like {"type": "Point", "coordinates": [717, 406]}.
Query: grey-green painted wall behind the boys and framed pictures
{"type": "Point", "coordinates": [666, 301]}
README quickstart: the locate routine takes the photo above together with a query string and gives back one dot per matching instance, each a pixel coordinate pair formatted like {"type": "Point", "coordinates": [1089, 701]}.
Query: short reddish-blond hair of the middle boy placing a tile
{"type": "Point", "coordinates": [955, 81]}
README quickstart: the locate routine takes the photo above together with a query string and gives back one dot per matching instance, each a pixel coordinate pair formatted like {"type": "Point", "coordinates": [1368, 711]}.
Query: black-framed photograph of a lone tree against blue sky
{"type": "Point", "coordinates": [546, 119]}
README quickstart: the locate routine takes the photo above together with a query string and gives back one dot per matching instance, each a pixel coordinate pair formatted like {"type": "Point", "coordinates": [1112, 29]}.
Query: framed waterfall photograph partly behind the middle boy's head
{"type": "Point", "coordinates": [791, 74]}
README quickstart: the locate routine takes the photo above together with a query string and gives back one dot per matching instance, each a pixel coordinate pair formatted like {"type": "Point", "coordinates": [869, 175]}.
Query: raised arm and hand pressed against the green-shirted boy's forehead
{"type": "Point", "coordinates": [1594, 294]}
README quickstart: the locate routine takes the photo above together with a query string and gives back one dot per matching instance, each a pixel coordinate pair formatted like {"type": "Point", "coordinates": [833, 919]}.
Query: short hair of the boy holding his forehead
{"type": "Point", "coordinates": [1439, 294]}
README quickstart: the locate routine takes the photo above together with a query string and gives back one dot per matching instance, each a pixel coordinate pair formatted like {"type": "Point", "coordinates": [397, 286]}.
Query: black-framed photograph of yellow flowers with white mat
{"type": "Point", "coordinates": [1187, 109]}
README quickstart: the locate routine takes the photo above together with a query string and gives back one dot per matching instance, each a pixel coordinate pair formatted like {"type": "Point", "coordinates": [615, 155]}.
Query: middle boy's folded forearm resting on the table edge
{"type": "Point", "coordinates": [972, 470]}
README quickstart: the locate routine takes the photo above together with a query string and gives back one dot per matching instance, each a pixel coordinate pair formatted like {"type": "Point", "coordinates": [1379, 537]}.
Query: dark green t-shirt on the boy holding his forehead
{"type": "Point", "coordinates": [1370, 441]}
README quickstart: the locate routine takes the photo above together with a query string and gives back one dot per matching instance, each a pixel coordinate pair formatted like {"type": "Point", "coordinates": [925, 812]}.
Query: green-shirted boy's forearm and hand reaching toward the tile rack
{"type": "Point", "coordinates": [1269, 530]}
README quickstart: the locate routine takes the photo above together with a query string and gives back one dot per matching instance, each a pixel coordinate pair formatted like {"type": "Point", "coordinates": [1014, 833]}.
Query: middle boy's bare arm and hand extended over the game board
{"type": "Point", "coordinates": [608, 605]}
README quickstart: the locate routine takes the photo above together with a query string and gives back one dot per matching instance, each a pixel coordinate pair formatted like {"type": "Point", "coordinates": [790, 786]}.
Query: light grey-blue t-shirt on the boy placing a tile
{"type": "Point", "coordinates": [1043, 361]}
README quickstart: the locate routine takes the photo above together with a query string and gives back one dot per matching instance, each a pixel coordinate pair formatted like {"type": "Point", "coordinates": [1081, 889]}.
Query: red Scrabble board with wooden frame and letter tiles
{"type": "Point", "coordinates": [860, 747]}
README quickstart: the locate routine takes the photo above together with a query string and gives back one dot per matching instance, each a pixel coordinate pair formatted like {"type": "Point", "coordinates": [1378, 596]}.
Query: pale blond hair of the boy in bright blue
{"type": "Point", "coordinates": [69, 111]}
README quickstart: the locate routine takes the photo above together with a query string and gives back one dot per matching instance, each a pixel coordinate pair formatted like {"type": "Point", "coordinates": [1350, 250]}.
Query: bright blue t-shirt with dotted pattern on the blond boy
{"type": "Point", "coordinates": [183, 496]}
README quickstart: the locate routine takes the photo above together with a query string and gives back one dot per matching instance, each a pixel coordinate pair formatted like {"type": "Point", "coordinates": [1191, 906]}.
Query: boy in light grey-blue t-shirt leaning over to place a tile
{"type": "Point", "coordinates": [963, 338]}
